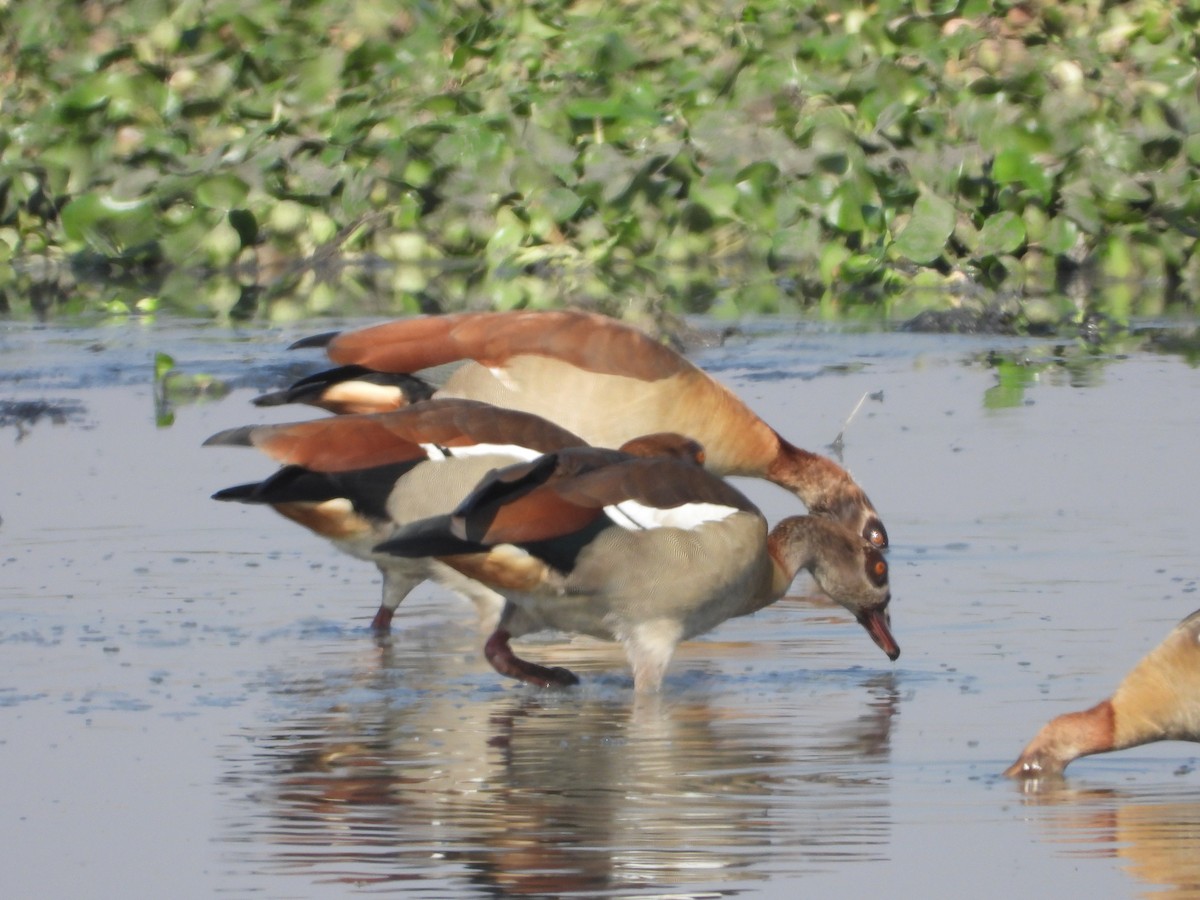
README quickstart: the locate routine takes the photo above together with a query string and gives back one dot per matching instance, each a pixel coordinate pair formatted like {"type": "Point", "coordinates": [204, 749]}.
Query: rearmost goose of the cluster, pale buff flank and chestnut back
{"type": "Point", "coordinates": [608, 383]}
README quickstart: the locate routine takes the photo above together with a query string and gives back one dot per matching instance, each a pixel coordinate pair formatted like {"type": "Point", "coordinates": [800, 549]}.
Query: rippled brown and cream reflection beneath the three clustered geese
{"type": "Point", "coordinates": [531, 794]}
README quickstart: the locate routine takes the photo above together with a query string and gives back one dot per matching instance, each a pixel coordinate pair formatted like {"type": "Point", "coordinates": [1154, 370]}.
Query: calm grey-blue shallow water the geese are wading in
{"type": "Point", "coordinates": [191, 704]}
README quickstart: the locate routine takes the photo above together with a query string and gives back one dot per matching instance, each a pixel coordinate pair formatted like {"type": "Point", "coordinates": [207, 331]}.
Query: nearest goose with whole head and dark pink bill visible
{"type": "Point", "coordinates": [645, 551]}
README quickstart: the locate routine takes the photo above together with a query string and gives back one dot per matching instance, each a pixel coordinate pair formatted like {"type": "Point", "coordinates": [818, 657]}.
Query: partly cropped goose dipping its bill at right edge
{"type": "Point", "coordinates": [1160, 700]}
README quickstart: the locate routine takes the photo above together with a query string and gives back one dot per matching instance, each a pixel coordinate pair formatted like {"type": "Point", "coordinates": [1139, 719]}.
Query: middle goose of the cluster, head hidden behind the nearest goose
{"type": "Point", "coordinates": [355, 479]}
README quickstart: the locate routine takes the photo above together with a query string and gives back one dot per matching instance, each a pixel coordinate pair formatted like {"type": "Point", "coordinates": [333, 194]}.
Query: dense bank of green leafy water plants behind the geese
{"type": "Point", "coordinates": [281, 158]}
